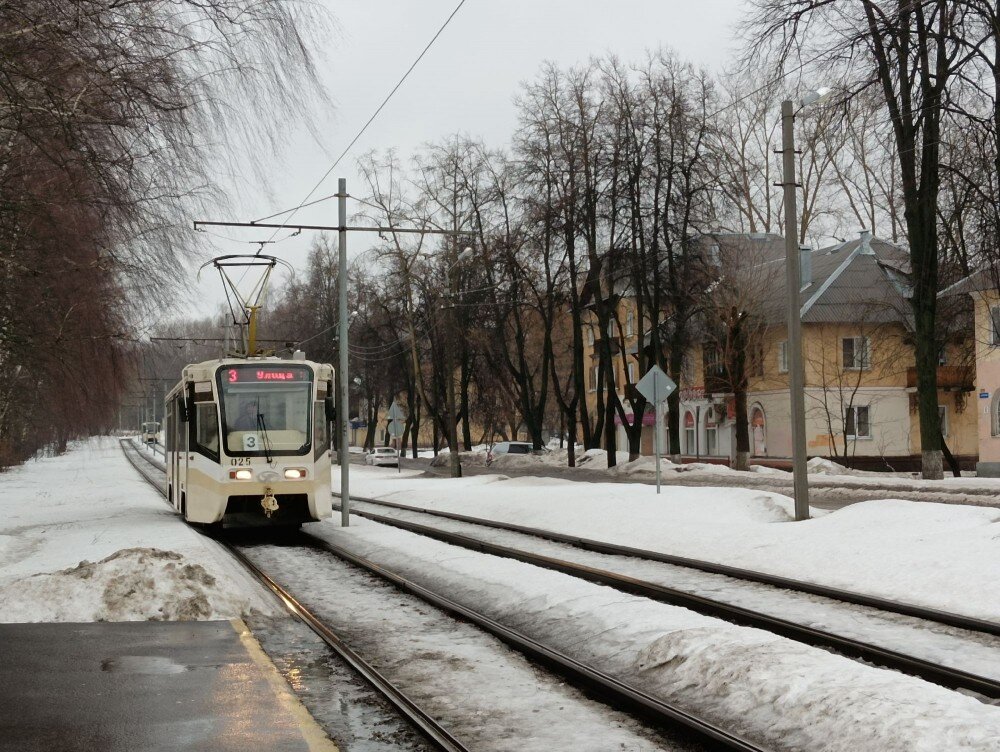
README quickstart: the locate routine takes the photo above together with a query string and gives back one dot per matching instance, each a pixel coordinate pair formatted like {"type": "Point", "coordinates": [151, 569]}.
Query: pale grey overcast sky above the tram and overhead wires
{"type": "Point", "coordinates": [465, 83]}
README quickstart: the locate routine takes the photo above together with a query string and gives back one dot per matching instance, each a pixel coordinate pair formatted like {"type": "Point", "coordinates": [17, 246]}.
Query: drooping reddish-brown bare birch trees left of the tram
{"type": "Point", "coordinates": [106, 111]}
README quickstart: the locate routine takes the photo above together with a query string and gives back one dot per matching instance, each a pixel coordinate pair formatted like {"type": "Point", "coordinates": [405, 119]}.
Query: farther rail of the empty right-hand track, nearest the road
{"type": "Point", "coordinates": [969, 623]}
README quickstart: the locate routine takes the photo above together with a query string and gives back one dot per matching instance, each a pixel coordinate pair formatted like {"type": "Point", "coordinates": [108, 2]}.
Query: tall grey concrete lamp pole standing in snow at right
{"type": "Point", "coordinates": [793, 284]}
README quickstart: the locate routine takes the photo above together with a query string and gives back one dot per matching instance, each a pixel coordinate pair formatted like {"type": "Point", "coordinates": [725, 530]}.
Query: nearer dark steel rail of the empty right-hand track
{"type": "Point", "coordinates": [943, 675]}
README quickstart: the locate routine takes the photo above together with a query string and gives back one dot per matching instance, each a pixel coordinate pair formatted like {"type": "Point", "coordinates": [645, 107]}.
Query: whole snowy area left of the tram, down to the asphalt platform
{"type": "Point", "coordinates": [84, 538]}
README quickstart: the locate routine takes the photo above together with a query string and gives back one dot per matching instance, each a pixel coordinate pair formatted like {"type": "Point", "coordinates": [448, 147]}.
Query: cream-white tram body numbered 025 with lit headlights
{"type": "Point", "coordinates": [247, 441]}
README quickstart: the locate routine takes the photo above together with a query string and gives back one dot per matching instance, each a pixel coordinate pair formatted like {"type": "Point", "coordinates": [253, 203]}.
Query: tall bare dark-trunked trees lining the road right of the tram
{"type": "Point", "coordinates": [616, 180]}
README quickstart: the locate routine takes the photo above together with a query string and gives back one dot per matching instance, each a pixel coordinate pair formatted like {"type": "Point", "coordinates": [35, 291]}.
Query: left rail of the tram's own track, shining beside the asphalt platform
{"type": "Point", "coordinates": [405, 706]}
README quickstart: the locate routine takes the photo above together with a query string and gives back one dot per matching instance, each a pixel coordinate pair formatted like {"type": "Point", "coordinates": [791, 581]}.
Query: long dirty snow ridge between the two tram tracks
{"type": "Point", "coordinates": [776, 691]}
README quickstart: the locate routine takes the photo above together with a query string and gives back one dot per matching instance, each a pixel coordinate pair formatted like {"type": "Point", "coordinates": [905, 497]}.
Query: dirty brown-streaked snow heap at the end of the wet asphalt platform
{"type": "Point", "coordinates": [134, 584]}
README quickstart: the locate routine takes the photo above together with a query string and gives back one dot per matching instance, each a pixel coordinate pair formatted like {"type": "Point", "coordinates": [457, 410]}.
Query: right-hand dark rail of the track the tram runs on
{"type": "Point", "coordinates": [624, 694]}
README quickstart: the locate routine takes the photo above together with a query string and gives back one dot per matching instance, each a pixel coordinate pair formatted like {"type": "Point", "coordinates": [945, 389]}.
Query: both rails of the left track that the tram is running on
{"type": "Point", "coordinates": [609, 689]}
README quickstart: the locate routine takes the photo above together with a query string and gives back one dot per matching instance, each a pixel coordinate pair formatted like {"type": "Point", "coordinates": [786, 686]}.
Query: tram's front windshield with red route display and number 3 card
{"type": "Point", "coordinates": [266, 409]}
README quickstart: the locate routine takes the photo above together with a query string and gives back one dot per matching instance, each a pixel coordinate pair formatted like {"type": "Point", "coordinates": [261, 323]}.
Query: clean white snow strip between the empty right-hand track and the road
{"type": "Point", "coordinates": [945, 556]}
